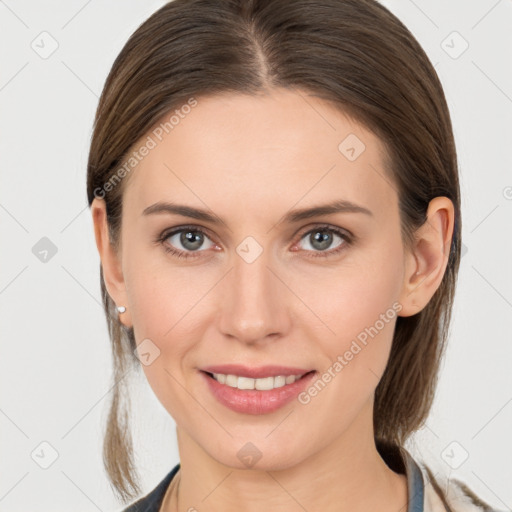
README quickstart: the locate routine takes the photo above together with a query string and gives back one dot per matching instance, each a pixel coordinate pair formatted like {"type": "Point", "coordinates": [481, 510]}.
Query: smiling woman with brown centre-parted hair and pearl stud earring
{"type": "Point", "coordinates": [276, 205]}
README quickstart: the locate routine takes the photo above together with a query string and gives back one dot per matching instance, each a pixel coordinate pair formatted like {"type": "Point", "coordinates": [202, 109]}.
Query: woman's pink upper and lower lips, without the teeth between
{"type": "Point", "coordinates": [253, 401]}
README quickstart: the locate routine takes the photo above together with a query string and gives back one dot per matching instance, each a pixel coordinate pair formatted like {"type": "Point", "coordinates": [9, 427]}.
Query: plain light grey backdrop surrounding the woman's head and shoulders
{"type": "Point", "coordinates": [55, 356]}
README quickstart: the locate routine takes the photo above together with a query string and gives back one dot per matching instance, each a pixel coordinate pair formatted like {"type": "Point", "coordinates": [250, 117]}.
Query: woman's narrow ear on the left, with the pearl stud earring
{"type": "Point", "coordinates": [110, 260]}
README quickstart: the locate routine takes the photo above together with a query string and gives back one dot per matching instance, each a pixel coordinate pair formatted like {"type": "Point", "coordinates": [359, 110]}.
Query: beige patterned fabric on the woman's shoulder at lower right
{"type": "Point", "coordinates": [443, 494]}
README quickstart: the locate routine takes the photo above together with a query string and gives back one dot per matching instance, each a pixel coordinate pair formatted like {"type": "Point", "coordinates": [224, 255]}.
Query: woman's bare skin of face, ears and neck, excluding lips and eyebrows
{"type": "Point", "coordinates": [250, 160]}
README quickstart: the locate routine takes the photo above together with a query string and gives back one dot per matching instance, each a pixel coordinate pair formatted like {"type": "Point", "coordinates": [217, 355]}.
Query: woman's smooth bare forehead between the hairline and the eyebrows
{"type": "Point", "coordinates": [279, 148]}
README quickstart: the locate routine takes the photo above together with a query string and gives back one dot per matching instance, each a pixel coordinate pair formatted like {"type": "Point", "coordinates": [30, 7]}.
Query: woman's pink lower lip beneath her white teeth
{"type": "Point", "coordinates": [254, 401]}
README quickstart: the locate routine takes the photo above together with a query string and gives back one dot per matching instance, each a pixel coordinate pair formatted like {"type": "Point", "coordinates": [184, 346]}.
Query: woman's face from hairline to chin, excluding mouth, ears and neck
{"type": "Point", "coordinates": [263, 286]}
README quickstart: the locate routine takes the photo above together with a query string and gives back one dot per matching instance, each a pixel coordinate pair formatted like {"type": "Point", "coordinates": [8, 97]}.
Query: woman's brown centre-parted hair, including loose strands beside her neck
{"type": "Point", "coordinates": [352, 53]}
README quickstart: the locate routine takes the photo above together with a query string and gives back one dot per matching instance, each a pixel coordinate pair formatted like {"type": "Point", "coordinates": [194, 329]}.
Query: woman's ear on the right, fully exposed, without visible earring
{"type": "Point", "coordinates": [426, 262]}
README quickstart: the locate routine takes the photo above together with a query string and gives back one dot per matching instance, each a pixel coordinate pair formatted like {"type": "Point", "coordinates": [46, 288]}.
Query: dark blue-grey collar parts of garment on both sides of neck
{"type": "Point", "coordinates": [415, 487]}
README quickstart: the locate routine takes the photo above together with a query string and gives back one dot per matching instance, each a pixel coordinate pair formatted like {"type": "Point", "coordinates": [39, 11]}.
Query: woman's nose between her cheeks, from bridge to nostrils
{"type": "Point", "coordinates": [255, 305]}
